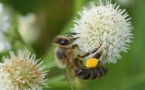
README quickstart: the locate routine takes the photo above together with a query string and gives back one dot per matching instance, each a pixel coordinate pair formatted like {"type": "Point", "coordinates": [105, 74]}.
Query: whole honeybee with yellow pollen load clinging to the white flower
{"type": "Point", "coordinates": [67, 56]}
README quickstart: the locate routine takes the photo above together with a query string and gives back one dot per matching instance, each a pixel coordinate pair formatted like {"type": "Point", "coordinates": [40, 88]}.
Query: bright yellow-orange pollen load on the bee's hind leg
{"type": "Point", "coordinates": [92, 62]}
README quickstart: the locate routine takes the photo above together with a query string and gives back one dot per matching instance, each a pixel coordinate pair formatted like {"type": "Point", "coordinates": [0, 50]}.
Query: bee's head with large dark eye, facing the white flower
{"type": "Point", "coordinates": [62, 40]}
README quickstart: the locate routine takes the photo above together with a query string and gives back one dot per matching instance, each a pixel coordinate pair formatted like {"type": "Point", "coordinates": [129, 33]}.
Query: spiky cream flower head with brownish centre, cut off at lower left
{"type": "Point", "coordinates": [22, 72]}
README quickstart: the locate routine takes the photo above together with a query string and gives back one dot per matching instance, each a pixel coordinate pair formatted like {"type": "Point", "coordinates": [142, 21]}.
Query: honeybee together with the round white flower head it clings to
{"type": "Point", "coordinates": [99, 36]}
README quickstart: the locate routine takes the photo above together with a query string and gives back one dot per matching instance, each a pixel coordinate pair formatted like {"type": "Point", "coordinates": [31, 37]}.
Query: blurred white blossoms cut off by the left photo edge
{"type": "Point", "coordinates": [4, 26]}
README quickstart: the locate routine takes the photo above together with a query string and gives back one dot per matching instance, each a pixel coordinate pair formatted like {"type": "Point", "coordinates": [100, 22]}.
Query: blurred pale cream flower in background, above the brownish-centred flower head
{"type": "Point", "coordinates": [27, 24]}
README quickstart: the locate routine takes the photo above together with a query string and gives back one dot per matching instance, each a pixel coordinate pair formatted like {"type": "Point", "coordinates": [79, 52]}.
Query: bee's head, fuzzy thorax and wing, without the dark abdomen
{"type": "Point", "coordinates": [67, 58]}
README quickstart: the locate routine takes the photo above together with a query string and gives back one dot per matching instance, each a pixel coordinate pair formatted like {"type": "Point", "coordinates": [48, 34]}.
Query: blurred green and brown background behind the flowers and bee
{"type": "Point", "coordinates": [56, 17]}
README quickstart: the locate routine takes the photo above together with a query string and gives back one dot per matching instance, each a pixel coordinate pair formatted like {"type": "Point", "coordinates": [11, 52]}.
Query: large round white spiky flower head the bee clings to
{"type": "Point", "coordinates": [106, 25]}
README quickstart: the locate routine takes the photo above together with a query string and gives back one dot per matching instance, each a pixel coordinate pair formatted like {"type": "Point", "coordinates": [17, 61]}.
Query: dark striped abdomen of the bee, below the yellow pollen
{"type": "Point", "coordinates": [91, 73]}
